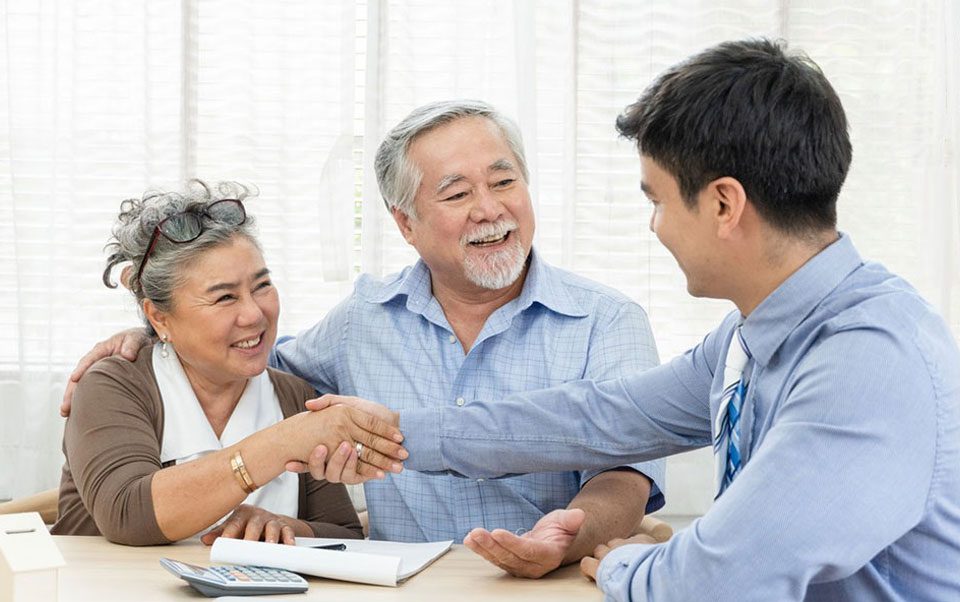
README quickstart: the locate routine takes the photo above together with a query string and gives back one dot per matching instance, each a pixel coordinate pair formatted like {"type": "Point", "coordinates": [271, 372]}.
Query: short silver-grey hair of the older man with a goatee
{"type": "Point", "coordinates": [399, 178]}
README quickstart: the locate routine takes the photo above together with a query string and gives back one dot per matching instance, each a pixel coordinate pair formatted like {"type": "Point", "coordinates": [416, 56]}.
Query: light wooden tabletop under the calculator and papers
{"type": "Point", "coordinates": [98, 571]}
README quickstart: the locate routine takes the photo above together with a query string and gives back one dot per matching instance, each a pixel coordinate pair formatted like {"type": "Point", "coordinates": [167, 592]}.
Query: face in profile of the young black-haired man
{"type": "Point", "coordinates": [686, 232]}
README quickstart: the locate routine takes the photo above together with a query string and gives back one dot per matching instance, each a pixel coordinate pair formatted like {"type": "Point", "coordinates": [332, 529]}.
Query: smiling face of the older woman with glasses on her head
{"type": "Point", "coordinates": [224, 318]}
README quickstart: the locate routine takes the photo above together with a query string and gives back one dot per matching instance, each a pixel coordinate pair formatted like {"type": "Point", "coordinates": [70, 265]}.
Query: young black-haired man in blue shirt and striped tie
{"type": "Point", "coordinates": [831, 396]}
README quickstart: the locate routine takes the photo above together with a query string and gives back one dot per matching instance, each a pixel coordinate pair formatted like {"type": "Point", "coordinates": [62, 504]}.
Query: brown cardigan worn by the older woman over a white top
{"type": "Point", "coordinates": [112, 445]}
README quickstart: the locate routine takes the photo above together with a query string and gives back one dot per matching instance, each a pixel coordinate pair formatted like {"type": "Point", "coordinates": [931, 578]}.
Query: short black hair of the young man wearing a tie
{"type": "Point", "coordinates": [749, 111]}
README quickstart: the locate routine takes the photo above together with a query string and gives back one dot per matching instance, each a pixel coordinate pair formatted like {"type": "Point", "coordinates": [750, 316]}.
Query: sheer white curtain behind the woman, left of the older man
{"type": "Point", "coordinates": [101, 100]}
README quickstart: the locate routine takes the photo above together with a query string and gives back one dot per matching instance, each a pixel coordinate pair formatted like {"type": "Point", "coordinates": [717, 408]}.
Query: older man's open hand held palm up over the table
{"type": "Point", "coordinates": [536, 552]}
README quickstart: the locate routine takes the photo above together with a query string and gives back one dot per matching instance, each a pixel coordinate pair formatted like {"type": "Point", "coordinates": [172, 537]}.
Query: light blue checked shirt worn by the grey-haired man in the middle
{"type": "Point", "coordinates": [390, 342]}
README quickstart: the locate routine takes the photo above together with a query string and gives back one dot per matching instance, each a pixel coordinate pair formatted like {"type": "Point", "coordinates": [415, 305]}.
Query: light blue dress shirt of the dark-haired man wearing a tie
{"type": "Point", "coordinates": [850, 487]}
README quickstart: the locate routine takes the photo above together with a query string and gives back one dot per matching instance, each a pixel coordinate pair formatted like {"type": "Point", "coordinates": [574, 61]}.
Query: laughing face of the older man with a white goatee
{"type": "Point", "coordinates": [474, 224]}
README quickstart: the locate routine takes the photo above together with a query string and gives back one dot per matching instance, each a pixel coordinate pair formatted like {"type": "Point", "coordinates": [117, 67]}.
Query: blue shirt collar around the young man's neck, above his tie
{"type": "Point", "coordinates": [769, 325]}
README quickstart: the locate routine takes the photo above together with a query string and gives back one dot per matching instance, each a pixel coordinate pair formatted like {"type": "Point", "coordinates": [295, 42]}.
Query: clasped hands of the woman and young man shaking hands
{"type": "Point", "coordinates": [358, 440]}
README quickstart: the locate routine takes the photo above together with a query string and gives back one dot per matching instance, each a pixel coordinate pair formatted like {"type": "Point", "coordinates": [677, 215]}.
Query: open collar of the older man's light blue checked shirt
{"type": "Point", "coordinates": [543, 285]}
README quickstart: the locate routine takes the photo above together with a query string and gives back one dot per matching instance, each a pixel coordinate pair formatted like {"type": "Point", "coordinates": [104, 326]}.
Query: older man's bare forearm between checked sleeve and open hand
{"type": "Point", "coordinates": [614, 502]}
